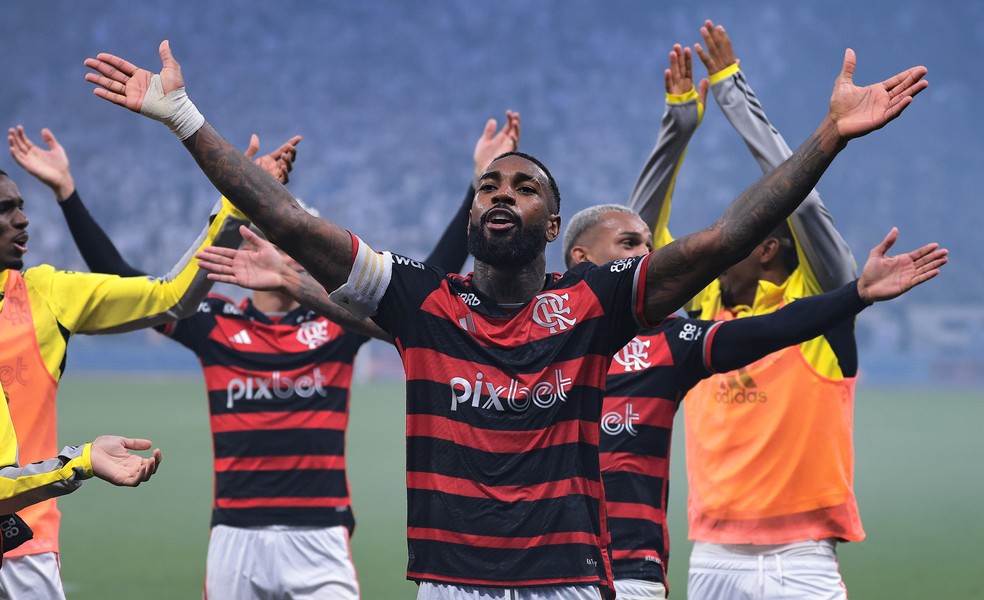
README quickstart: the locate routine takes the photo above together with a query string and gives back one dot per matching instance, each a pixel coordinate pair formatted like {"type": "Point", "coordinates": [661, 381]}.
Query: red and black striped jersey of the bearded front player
{"type": "Point", "coordinates": [503, 420]}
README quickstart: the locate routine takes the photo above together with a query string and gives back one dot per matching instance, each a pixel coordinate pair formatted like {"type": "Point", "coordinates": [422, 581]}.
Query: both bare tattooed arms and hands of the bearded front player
{"type": "Point", "coordinates": [674, 273]}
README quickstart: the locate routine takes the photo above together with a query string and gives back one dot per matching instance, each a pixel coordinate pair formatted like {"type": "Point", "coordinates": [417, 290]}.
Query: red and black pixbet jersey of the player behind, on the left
{"type": "Point", "coordinates": [278, 394]}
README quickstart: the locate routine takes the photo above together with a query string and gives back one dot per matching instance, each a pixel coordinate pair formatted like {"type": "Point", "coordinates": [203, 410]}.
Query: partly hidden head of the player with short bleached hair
{"type": "Point", "coordinates": [618, 235]}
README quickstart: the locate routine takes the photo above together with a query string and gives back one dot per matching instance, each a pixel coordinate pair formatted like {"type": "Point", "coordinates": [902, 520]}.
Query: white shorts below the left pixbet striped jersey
{"type": "Point", "coordinates": [279, 562]}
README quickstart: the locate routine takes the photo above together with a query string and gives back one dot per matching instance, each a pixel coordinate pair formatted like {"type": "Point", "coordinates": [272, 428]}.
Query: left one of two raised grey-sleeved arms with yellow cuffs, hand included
{"type": "Point", "coordinates": [651, 195]}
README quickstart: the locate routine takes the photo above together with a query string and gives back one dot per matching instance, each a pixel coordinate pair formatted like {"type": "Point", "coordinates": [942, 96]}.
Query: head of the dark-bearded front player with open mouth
{"type": "Point", "coordinates": [512, 216]}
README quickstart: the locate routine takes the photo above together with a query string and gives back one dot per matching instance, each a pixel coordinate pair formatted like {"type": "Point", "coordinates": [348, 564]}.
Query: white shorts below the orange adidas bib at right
{"type": "Point", "coordinates": [798, 571]}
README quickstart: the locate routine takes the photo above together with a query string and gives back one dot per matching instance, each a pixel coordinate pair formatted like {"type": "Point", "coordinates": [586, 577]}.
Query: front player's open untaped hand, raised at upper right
{"type": "Point", "coordinates": [857, 111]}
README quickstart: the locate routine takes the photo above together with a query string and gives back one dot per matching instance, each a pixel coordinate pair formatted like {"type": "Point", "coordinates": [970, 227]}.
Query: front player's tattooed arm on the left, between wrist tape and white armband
{"type": "Point", "coordinates": [323, 249]}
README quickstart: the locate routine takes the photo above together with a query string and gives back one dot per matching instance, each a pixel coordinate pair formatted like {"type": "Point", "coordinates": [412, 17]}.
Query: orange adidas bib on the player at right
{"type": "Point", "coordinates": [770, 454]}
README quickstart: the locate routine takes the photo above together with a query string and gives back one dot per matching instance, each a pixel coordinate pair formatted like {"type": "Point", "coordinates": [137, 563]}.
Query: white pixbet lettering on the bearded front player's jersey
{"type": "Point", "coordinates": [484, 394]}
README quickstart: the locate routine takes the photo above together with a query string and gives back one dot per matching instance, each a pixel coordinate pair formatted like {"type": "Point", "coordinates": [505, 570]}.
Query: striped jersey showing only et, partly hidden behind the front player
{"type": "Point", "coordinates": [646, 383]}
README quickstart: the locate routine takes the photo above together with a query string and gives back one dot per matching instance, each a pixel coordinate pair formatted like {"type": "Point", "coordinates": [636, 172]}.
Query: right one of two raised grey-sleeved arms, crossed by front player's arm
{"type": "Point", "coordinates": [823, 253]}
